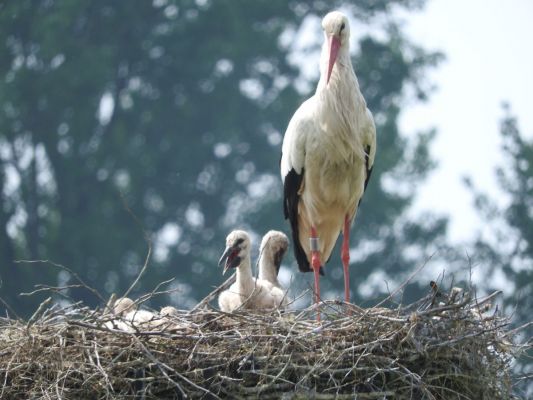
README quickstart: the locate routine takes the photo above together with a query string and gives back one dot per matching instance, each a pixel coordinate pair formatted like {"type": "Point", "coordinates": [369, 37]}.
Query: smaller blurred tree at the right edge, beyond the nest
{"type": "Point", "coordinates": [507, 244]}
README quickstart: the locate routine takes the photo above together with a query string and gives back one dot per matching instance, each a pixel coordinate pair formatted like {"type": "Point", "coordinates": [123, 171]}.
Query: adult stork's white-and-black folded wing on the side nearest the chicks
{"type": "Point", "coordinates": [292, 172]}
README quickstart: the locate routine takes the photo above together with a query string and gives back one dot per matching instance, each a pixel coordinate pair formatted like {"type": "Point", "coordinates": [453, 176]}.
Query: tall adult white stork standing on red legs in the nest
{"type": "Point", "coordinates": [327, 157]}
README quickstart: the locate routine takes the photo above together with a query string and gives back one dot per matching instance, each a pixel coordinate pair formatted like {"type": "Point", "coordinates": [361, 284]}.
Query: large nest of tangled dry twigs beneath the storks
{"type": "Point", "coordinates": [445, 346]}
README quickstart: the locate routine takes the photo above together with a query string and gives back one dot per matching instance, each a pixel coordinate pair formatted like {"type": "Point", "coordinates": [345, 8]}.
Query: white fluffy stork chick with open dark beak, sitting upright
{"type": "Point", "coordinates": [247, 292]}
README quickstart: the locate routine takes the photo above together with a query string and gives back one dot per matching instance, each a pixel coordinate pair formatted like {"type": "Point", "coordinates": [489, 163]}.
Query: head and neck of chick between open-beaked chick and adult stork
{"type": "Point", "coordinates": [273, 247]}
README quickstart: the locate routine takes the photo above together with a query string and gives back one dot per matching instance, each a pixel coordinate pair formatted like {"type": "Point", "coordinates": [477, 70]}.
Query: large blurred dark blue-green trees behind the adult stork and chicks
{"type": "Point", "coordinates": [177, 109]}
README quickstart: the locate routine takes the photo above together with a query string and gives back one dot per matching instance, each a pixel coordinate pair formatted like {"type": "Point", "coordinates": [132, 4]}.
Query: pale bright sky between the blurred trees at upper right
{"type": "Point", "coordinates": [489, 60]}
